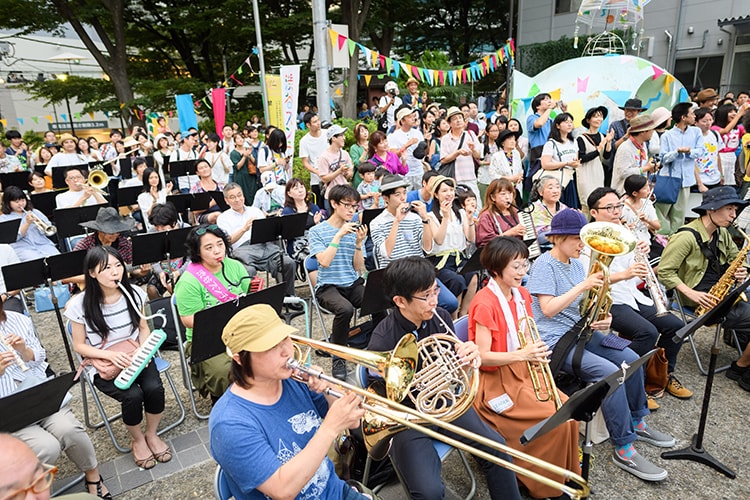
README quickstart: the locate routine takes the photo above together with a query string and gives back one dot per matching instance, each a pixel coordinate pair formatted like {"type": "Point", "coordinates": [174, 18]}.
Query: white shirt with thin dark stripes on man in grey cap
{"type": "Point", "coordinates": [408, 241]}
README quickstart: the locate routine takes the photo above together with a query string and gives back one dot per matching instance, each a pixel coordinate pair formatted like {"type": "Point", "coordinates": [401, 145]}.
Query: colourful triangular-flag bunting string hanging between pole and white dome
{"type": "Point", "coordinates": [469, 72]}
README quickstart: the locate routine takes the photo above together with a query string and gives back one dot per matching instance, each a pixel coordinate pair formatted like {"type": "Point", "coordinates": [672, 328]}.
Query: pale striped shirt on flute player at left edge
{"type": "Point", "coordinates": [21, 325]}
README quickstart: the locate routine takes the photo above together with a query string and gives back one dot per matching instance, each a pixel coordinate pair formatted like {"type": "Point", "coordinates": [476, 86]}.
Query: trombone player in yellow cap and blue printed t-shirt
{"type": "Point", "coordinates": [270, 434]}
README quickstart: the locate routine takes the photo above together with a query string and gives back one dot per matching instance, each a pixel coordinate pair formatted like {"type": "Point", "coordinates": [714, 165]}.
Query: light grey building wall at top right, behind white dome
{"type": "Point", "coordinates": [685, 20]}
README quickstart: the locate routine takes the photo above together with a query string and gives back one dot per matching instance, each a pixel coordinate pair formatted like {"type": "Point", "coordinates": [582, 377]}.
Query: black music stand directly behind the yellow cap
{"type": "Point", "coordinates": [209, 323]}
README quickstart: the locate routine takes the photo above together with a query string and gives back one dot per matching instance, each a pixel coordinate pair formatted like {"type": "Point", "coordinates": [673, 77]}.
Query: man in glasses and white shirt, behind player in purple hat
{"type": "Point", "coordinates": [634, 315]}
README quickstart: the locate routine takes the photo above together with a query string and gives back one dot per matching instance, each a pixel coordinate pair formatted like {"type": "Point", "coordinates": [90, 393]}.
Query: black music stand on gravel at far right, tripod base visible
{"type": "Point", "coordinates": [717, 315]}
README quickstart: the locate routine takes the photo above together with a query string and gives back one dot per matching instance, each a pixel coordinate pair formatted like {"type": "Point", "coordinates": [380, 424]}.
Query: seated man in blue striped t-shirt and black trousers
{"type": "Point", "coordinates": [337, 245]}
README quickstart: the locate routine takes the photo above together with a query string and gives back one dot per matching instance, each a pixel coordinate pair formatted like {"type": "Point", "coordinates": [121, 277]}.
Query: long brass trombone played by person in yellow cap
{"type": "Point", "coordinates": [393, 414]}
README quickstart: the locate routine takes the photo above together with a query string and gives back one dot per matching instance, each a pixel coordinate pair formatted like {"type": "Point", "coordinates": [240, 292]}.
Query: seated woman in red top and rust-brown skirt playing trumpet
{"type": "Point", "coordinates": [507, 399]}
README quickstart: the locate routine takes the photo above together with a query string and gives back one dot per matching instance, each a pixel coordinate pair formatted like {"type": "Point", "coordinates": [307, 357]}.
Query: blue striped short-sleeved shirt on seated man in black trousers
{"type": "Point", "coordinates": [341, 272]}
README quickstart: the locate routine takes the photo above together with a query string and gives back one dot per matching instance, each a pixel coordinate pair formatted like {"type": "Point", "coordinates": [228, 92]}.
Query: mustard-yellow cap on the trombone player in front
{"type": "Point", "coordinates": [256, 328]}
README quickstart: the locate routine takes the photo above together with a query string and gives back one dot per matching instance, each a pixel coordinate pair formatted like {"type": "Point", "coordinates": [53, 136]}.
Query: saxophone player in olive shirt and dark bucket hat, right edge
{"type": "Point", "coordinates": [702, 263]}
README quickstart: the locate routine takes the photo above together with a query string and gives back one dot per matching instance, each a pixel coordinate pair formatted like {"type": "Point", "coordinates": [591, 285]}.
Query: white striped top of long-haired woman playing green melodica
{"type": "Point", "coordinates": [121, 327]}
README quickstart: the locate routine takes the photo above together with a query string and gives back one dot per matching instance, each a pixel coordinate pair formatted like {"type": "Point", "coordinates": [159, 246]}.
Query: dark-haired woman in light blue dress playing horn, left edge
{"type": "Point", "coordinates": [32, 241]}
